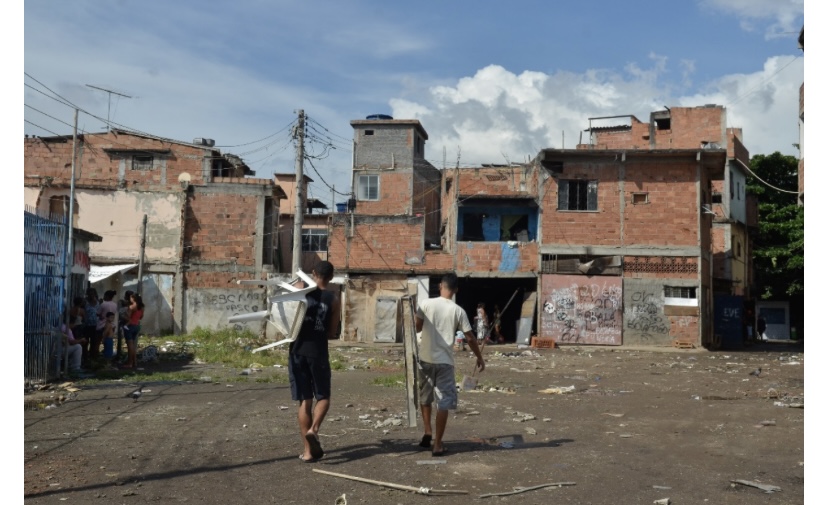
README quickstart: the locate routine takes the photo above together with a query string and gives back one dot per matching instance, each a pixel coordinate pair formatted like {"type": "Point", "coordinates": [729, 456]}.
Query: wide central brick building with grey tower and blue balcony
{"type": "Point", "coordinates": [600, 246]}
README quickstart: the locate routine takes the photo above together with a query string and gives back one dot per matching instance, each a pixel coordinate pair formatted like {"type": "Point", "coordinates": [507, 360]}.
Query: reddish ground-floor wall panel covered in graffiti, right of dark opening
{"type": "Point", "coordinates": [582, 310]}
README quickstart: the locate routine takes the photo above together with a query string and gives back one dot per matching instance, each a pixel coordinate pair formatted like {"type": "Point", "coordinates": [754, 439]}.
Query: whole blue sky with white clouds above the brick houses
{"type": "Point", "coordinates": [489, 80]}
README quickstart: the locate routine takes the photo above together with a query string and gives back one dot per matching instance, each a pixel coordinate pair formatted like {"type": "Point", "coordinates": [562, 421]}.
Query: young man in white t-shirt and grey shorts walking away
{"type": "Point", "coordinates": [437, 321]}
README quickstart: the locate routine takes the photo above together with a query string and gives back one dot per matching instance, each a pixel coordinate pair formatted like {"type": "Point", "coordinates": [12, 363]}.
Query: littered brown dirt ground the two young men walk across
{"type": "Point", "coordinates": [637, 425]}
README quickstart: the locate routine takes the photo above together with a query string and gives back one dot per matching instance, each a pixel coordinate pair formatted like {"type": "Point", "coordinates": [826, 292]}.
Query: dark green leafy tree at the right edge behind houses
{"type": "Point", "coordinates": [779, 245]}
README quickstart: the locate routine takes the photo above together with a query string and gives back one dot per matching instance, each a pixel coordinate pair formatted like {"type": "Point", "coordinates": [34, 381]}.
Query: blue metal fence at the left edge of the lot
{"type": "Point", "coordinates": [44, 259]}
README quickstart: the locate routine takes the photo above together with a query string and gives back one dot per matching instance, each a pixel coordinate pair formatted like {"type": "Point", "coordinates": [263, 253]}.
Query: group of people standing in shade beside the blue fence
{"type": "Point", "coordinates": [93, 322]}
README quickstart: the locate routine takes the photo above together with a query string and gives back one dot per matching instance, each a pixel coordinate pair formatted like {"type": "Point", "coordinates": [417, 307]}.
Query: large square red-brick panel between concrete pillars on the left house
{"type": "Point", "coordinates": [220, 227]}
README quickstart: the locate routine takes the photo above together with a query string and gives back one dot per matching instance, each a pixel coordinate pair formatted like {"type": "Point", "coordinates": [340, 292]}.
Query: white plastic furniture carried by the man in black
{"type": "Point", "coordinates": [286, 309]}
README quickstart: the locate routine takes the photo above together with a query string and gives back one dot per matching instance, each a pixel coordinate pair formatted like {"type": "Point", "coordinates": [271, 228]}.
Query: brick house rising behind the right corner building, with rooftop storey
{"type": "Point", "coordinates": [736, 215]}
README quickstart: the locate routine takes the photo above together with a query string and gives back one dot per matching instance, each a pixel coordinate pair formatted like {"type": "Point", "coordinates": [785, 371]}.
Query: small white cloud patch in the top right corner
{"type": "Point", "coordinates": [786, 16]}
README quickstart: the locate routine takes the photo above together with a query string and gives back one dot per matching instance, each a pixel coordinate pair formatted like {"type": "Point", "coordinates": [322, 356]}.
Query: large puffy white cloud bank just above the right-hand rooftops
{"type": "Point", "coordinates": [497, 113]}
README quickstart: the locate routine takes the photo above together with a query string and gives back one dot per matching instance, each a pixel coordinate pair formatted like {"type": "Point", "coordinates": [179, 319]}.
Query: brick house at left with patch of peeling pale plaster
{"type": "Point", "coordinates": [208, 224]}
